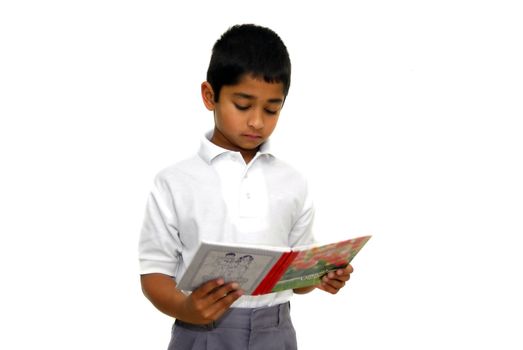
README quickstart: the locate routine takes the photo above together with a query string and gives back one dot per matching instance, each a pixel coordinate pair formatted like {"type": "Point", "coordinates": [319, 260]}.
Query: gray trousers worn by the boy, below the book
{"type": "Point", "coordinates": [268, 328]}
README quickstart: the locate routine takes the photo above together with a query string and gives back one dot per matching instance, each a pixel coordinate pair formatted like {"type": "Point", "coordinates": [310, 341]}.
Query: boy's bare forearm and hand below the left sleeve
{"type": "Point", "coordinates": [202, 306]}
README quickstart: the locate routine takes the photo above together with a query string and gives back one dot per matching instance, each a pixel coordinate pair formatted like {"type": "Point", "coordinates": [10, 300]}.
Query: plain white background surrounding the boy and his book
{"type": "Point", "coordinates": [405, 115]}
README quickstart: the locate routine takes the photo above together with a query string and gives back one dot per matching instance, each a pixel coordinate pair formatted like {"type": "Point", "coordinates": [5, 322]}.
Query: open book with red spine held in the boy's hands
{"type": "Point", "coordinates": [261, 269]}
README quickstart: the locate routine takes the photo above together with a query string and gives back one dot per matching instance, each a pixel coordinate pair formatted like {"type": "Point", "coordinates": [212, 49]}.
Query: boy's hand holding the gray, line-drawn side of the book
{"type": "Point", "coordinates": [210, 301]}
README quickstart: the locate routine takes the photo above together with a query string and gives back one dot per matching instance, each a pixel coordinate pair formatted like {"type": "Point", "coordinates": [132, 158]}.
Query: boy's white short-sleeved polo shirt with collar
{"type": "Point", "coordinates": [215, 196]}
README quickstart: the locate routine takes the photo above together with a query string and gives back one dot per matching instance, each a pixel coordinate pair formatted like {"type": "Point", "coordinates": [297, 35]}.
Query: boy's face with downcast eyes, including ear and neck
{"type": "Point", "coordinates": [245, 115]}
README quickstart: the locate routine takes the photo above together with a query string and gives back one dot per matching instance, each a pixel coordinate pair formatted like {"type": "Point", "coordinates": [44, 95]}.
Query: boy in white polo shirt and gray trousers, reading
{"type": "Point", "coordinates": [233, 190]}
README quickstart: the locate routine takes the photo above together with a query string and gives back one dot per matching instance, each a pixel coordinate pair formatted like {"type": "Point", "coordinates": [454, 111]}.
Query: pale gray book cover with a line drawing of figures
{"type": "Point", "coordinates": [246, 265]}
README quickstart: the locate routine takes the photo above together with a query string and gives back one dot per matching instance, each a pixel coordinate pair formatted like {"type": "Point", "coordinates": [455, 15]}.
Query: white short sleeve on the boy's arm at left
{"type": "Point", "coordinates": [160, 245]}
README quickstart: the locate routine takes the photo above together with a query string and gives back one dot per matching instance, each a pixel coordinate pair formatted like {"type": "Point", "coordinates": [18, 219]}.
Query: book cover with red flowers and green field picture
{"type": "Point", "coordinates": [311, 264]}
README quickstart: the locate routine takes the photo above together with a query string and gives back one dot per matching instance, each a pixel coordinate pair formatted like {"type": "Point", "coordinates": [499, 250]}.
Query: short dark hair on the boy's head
{"type": "Point", "coordinates": [249, 49]}
